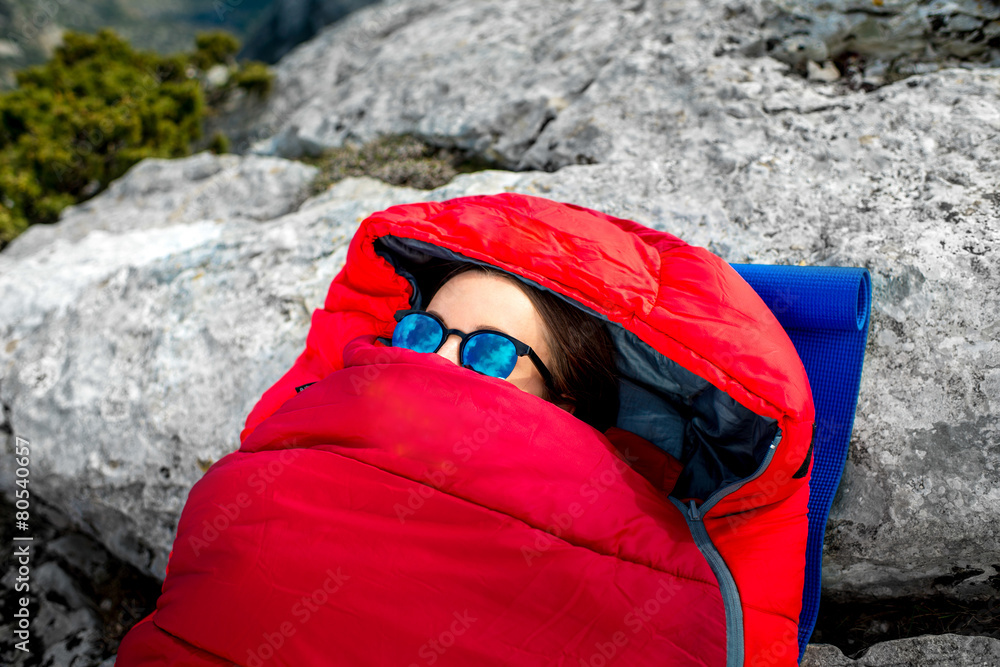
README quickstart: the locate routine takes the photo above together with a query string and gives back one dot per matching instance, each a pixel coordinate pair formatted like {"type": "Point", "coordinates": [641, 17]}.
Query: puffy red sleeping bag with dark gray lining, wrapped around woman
{"type": "Point", "coordinates": [402, 510]}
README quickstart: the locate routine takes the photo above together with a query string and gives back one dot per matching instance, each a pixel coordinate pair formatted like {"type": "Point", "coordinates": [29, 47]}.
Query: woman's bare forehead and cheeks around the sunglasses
{"type": "Point", "coordinates": [474, 300]}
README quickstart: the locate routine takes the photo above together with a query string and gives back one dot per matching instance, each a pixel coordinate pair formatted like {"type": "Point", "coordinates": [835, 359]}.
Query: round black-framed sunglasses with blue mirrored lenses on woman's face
{"type": "Point", "coordinates": [488, 352]}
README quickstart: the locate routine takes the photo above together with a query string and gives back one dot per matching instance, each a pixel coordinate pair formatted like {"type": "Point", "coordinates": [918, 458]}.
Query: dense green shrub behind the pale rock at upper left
{"type": "Point", "coordinates": [96, 108]}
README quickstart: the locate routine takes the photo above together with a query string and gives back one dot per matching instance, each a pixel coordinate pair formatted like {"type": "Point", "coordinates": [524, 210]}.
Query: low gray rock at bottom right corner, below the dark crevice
{"type": "Point", "coordinates": [926, 651]}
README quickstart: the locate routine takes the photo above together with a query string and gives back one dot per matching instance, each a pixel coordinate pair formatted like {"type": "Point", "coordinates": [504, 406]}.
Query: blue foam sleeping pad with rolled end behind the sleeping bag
{"type": "Point", "coordinates": [825, 311]}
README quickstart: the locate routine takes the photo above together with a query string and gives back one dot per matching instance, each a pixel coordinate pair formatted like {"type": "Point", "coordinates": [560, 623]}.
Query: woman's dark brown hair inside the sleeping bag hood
{"type": "Point", "coordinates": [583, 354]}
